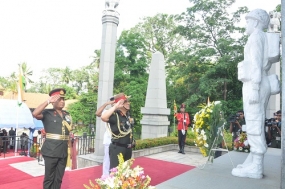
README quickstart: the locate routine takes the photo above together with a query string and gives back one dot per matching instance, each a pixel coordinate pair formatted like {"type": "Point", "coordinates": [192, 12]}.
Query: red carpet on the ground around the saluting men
{"type": "Point", "coordinates": [158, 170]}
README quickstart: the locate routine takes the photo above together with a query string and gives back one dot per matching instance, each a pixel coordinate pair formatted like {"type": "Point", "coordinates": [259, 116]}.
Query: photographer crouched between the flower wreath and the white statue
{"type": "Point", "coordinates": [236, 122]}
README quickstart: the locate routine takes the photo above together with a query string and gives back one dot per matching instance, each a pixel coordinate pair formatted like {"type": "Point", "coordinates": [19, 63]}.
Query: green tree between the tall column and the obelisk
{"type": "Point", "coordinates": [131, 76]}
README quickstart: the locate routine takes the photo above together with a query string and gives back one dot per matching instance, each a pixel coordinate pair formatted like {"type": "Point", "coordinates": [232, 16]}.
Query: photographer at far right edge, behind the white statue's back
{"type": "Point", "coordinates": [274, 131]}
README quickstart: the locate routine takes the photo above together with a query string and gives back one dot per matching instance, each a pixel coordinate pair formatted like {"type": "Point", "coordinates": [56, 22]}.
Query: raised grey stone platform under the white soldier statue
{"type": "Point", "coordinates": [218, 174]}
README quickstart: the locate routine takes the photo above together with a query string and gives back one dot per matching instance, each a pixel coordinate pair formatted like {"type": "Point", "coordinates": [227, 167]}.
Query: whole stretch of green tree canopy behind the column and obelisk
{"type": "Point", "coordinates": [202, 47]}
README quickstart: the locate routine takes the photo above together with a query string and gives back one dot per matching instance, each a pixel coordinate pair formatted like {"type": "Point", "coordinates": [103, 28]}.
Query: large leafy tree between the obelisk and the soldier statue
{"type": "Point", "coordinates": [215, 47]}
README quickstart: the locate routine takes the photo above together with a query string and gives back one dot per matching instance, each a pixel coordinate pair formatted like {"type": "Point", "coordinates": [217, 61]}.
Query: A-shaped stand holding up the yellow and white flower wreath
{"type": "Point", "coordinates": [215, 148]}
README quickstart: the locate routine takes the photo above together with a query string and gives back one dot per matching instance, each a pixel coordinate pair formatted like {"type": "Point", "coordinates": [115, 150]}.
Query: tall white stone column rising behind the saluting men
{"type": "Point", "coordinates": [110, 21]}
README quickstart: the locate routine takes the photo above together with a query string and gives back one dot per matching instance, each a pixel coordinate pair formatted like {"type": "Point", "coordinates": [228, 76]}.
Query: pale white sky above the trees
{"type": "Point", "coordinates": [65, 33]}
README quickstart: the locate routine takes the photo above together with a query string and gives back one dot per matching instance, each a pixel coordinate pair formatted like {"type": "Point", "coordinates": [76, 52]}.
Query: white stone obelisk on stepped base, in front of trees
{"type": "Point", "coordinates": [155, 121]}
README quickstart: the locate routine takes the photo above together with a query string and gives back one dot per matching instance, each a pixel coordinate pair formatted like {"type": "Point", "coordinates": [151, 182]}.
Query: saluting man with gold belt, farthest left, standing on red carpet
{"type": "Point", "coordinates": [57, 124]}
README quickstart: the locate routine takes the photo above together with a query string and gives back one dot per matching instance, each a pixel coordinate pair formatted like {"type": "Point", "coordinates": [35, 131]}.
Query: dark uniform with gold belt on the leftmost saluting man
{"type": "Point", "coordinates": [55, 147]}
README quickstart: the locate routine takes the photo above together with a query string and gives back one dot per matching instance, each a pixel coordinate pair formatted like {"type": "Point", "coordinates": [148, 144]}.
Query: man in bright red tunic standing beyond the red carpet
{"type": "Point", "coordinates": [182, 127]}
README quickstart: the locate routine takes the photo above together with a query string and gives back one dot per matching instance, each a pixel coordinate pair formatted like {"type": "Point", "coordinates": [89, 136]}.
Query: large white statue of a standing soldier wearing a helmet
{"type": "Point", "coordinates": [252, 71]}
